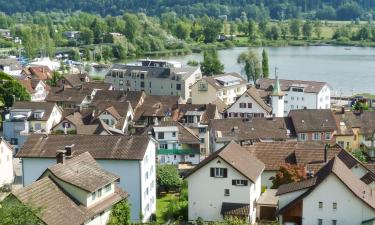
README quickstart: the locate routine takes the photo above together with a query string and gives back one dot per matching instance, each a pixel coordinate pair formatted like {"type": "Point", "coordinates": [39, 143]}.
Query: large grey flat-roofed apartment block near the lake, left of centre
{"type": "Point", "coordinates": [154, 77]}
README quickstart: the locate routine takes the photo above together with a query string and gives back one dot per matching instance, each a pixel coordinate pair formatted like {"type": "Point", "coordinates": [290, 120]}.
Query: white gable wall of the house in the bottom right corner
{"type": "Point", "coordinates": [350, 209]}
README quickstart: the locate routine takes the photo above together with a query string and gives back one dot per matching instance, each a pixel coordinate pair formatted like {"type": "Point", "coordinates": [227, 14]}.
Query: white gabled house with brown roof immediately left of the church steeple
{"type": "Point", "coordinates": [249, 104]}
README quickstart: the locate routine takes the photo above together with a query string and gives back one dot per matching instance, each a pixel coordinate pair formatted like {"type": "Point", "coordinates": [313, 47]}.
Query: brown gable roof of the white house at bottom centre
{"type": "Point", "coordinates": [238, 158]}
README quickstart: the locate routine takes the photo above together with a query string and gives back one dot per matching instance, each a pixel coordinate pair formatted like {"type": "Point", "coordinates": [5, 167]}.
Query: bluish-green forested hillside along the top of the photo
{"type": "Point", "coordinates": [254, 9]}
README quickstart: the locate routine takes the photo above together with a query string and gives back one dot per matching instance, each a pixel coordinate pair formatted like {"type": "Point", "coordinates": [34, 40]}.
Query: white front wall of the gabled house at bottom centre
{"type": "Point", "coordinates": [206, 194]}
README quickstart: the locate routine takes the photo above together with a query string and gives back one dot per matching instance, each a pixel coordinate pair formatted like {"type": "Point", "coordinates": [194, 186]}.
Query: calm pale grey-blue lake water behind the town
{"type": "Point", "coordinates": [346, 71]}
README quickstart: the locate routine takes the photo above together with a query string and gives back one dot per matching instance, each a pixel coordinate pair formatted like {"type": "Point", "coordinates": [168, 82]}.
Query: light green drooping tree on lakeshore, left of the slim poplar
{"type": "Point", "coordinates": [251, 65]}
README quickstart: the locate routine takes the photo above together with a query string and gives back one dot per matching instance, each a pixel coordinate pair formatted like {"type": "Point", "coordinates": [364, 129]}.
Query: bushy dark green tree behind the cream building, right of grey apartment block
{"type": "Point", "coordinates": [211, 64]}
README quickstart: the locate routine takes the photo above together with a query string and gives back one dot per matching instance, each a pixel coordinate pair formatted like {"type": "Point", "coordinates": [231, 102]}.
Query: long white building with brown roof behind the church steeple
{"type": "Point", "coordinates": [299, 94]}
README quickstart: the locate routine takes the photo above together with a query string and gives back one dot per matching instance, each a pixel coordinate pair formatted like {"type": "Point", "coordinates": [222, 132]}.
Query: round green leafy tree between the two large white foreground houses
{"type": "Point", "coordinates": [167, 176]}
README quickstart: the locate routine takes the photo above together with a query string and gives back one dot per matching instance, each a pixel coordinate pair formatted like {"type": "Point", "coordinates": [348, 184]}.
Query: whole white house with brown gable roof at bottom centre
{"type": "Point", "coordinates": [226, 183]}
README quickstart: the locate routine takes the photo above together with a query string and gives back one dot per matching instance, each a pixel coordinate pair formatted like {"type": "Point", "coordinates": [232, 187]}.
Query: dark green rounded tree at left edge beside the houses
{"type": "Point", "coordinates": [13, 91]}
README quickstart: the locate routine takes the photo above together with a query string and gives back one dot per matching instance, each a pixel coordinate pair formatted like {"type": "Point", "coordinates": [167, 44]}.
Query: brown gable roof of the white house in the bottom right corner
{"type": "Point", "coordinates": [338, 168]}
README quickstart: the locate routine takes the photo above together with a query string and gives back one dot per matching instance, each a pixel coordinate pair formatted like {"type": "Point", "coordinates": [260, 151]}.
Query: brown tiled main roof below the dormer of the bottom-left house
{"type": "Point", "coordinates": [57, 207]}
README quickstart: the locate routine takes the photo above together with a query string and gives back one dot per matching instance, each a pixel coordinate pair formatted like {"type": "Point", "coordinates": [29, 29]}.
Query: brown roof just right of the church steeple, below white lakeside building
{"type": "Point", "coordinates": [312, 120]}
